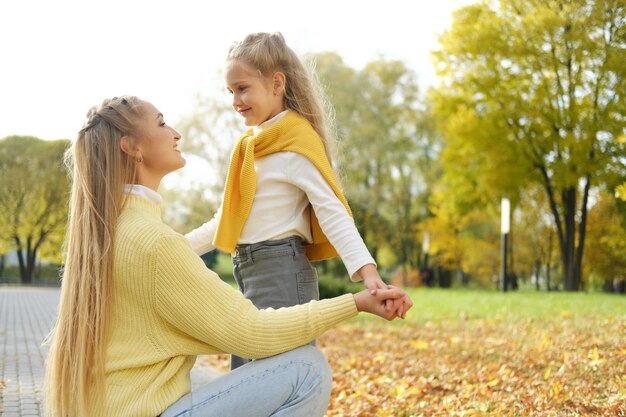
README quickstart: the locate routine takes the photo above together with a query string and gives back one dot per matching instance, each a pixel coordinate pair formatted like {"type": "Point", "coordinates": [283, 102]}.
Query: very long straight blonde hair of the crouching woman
{"type": "Point", "coordinates": [99, 170]}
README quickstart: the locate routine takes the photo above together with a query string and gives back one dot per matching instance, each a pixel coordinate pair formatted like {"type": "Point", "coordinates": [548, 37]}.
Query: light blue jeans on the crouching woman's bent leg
{"type": "Point", "coordinates": [293, 384]}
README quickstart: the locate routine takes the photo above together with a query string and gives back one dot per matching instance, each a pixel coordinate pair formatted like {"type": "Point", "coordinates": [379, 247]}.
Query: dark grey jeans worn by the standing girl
{"type": "Point", "coordinates": [274, 273]}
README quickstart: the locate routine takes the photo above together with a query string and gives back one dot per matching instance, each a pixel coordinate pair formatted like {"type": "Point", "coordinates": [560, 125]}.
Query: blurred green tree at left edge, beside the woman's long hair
{"type": "Point", "coordinates": [33, 197]}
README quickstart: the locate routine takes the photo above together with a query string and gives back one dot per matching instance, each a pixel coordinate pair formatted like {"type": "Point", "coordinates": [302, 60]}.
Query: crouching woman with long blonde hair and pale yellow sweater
{"type": "Point", "coordinates": [137, 305]}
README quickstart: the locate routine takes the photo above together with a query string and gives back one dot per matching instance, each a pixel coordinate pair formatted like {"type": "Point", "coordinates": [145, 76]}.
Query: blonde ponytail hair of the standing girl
{"type": "Point", "coordinates": [269, 53]}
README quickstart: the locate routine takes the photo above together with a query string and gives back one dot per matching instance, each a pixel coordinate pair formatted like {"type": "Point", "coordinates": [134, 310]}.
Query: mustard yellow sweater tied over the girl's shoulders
{"type": "Point", "coordinates": [292, 133]}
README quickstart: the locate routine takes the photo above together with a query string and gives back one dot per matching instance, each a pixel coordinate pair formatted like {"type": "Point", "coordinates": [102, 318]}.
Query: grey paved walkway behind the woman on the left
{"type": "Point", "coordinates": [26, 316]}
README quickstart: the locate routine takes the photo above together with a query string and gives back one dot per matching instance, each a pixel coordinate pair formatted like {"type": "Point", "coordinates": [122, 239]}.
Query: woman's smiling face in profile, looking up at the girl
{"type": "Point", "coordinates": [158, 144]}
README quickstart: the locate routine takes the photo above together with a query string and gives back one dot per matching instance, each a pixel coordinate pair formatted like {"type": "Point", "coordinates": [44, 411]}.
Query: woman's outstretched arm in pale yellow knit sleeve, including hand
{"type": "Point", "coordinates": [193, 299]}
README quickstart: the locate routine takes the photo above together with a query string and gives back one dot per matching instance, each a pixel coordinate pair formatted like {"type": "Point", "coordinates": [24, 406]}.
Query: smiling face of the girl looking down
{"type": "Point", "coordinates": [255, 97]}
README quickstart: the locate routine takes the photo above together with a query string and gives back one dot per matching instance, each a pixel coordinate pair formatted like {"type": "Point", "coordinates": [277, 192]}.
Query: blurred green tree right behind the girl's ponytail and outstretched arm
{"type": "Point", "coordinates": [386, 153]}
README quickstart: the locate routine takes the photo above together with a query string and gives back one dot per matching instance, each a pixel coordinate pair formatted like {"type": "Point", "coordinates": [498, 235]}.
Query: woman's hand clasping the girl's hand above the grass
{"type": "Point", "coordinates": [378, 303]}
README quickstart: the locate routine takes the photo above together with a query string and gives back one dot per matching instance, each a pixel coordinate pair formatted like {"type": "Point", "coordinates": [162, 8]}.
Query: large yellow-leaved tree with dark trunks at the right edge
{"type": "Point", "coordinates": [533, 93]}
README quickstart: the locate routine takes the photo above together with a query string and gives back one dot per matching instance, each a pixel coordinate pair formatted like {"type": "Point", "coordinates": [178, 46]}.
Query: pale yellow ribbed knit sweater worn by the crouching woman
{"type": "Point", "coordinates": [167, 307]}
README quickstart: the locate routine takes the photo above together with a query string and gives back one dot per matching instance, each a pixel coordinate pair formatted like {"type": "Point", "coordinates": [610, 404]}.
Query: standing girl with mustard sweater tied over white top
{"type": "Point", "coordinates": [282, 205]}
